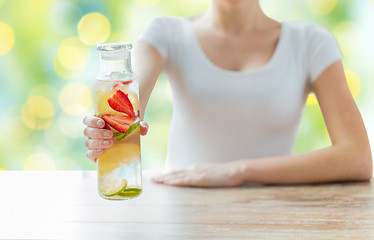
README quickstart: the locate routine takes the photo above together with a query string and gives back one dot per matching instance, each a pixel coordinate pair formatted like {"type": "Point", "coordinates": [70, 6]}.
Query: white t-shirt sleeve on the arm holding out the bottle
{"type": "Point", "coordinates": [155, 35]}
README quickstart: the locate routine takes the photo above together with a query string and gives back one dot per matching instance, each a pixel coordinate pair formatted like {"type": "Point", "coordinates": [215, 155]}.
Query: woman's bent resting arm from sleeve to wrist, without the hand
{"type": "Point", "coordinates": [349, 156]}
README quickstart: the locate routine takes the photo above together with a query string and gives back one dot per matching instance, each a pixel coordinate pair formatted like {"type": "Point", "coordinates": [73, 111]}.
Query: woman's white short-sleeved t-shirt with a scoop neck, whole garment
{"type": "Point", "coordinates": [221, 115]}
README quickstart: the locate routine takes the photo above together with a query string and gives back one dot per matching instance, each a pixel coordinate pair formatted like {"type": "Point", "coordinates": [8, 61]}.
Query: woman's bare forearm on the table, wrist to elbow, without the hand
{"type": "Point", "coordinates": [335, 163]}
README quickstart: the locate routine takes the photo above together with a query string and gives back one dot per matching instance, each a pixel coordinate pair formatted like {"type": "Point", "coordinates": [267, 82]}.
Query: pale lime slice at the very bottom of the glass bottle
{"type": "Point", "coordinates": [111, 184]}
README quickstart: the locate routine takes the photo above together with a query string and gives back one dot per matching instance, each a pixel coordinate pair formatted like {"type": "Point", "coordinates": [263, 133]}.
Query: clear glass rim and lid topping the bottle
{"type": "Point", "coordinates": [114, 51]}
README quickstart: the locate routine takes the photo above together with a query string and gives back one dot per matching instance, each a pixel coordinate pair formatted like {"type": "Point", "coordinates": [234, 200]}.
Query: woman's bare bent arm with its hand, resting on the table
{"type": "Point", "coordinates": [349, 157]}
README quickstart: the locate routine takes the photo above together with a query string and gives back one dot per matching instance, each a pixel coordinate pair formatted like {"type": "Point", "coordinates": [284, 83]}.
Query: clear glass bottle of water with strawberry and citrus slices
{"type": "Point", "coordinates": [116, 100]}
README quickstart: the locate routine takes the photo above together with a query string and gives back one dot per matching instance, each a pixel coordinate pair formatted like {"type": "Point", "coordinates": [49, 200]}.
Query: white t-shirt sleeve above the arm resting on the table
{"type": "Point", "coordinates": [323, 50]}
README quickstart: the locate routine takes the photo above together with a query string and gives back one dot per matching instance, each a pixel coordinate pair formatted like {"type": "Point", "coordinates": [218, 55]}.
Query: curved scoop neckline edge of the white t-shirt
{"type": "Point", "coordinates": [263, 68]}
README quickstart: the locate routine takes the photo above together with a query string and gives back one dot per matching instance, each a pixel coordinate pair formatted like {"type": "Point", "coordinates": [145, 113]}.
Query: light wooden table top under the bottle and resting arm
{"type": "Point", "coordinates": [65, 205]}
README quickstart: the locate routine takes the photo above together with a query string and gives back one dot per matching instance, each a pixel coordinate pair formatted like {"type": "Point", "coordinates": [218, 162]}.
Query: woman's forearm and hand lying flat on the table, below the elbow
{"type": "Point", "coordinates": [341, 162]}
